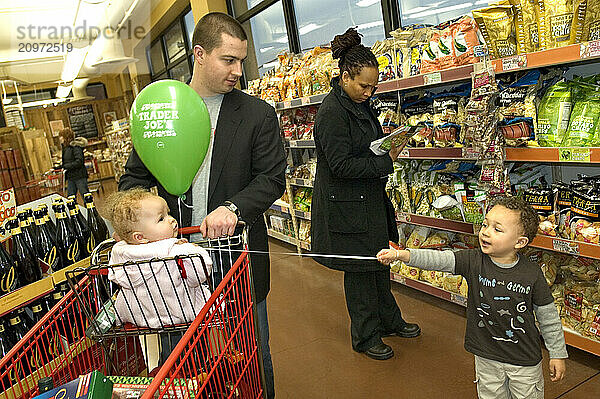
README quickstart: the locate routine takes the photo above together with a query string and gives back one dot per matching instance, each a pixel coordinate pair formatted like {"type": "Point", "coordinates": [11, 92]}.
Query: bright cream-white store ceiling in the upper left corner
{"type": "Point", "coordinates": [35, 35]}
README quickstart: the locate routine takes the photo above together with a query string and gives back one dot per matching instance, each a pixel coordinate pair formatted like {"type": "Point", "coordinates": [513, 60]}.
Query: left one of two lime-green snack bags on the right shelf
{"type": "Point", "coordinates": [553, 115]}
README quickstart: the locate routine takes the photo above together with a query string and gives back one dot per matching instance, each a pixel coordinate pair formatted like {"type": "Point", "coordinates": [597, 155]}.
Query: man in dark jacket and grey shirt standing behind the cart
{"type": "Point", "coordinates": [244, 169]}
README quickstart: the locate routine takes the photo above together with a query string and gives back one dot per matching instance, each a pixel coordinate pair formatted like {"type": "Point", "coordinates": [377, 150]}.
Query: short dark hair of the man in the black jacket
{"type": "Point", "coordinates": [210, 28]}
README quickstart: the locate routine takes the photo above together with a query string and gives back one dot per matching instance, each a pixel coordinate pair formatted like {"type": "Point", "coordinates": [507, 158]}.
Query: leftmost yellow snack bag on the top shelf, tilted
{"type": "Point", "coordinates": [497, 26]}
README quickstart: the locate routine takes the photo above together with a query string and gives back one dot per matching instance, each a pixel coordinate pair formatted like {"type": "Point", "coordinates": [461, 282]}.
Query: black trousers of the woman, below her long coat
{"type": "Point", "coordinates": [372, 308]}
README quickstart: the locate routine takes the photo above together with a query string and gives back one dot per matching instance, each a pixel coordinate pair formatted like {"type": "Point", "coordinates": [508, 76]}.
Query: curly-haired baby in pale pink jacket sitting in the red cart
{"type": "Point", "coordinates": [162, 279]}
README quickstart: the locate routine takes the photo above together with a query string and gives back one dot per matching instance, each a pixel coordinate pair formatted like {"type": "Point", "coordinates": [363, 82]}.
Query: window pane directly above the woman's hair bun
{"type": "Point", "coordinates": [319, 21]}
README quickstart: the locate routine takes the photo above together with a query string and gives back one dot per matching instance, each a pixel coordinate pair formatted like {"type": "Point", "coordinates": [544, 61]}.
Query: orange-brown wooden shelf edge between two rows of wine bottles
{"type": "Point", "coordinates": [31, 292]}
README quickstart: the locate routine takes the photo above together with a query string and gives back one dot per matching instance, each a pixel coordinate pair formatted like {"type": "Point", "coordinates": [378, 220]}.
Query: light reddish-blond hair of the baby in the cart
{"type": "Point", "coordinates": [122, 209]}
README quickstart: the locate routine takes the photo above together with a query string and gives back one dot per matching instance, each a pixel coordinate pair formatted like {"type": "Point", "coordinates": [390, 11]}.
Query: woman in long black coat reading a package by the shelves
{"type": "Point", "coordinates": [351, 213]}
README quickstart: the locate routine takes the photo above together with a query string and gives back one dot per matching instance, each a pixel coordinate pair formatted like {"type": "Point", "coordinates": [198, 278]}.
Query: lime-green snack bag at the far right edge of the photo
{"type": "Point", "coordinates": [585, 120]}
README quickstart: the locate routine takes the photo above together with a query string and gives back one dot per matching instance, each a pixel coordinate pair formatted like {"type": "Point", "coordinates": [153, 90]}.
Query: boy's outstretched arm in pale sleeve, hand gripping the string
{"type": "Point", "coordinates": [428, 259]}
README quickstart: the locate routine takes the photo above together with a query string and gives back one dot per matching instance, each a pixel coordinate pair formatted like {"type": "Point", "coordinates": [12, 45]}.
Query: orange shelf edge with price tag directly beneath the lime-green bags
{"type": "Point", "coordinates": [554, 154]}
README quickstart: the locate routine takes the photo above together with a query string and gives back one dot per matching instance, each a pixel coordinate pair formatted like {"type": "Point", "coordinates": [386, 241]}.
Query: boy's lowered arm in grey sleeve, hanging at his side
{"type": "Point", "coordinates": [554, 338]}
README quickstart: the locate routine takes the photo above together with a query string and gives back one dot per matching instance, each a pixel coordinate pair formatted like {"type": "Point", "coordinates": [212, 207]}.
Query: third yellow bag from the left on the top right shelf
{"type": "Point", "coordinates": [564, 22]}
